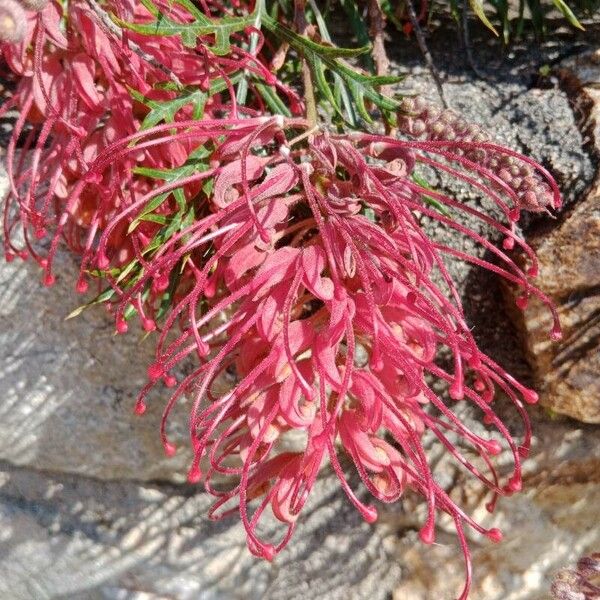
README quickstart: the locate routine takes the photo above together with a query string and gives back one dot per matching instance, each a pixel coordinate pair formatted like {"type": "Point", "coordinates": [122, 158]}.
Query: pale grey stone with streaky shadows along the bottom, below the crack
{"type": "Point", "coordinates": [76, 538]}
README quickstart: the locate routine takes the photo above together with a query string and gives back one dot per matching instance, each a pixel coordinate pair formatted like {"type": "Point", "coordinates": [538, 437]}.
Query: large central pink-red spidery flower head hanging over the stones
{"type": "Point", "coordinates": [332, 322]}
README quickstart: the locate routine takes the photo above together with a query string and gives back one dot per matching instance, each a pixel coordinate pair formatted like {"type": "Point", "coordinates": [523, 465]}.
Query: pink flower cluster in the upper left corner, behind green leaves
{"type": "Point", "coordinates": [75, 90]}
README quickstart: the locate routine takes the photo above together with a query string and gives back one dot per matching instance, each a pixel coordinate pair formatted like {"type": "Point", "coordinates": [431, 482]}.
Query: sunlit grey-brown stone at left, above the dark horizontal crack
{"type": "Point", "coordinates": [68, 387]}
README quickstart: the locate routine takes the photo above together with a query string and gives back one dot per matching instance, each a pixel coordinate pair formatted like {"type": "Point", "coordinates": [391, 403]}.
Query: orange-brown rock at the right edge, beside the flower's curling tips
{"type": "Point", "coordinates": [566, 373]}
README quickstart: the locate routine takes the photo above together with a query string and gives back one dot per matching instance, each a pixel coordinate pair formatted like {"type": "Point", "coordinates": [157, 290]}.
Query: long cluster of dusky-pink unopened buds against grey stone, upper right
{"type": "Point", "coordinates": [420, 119]}
